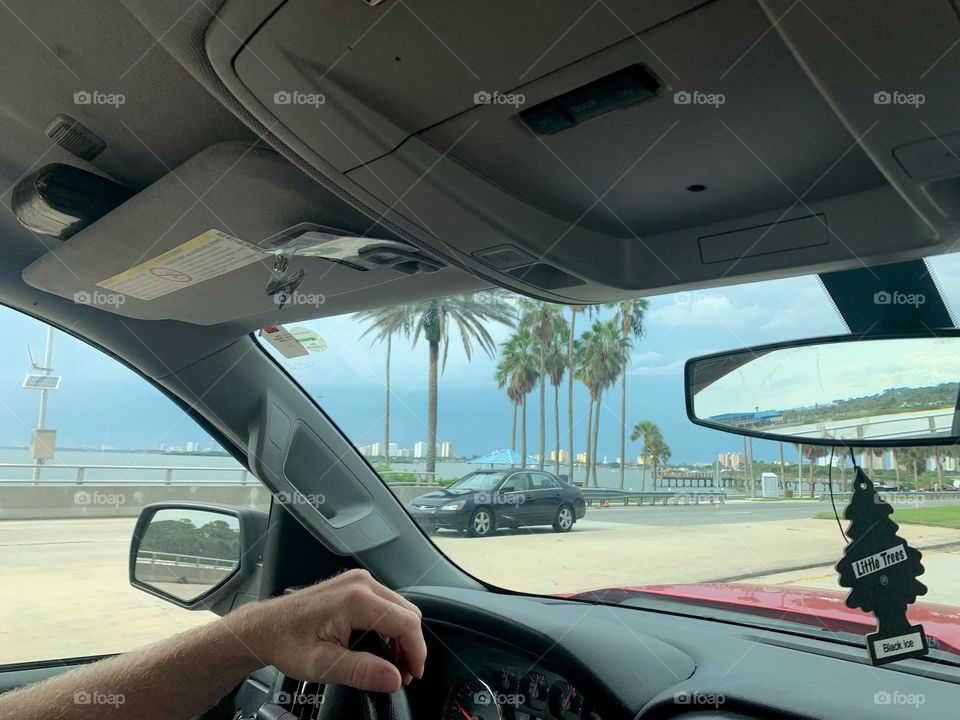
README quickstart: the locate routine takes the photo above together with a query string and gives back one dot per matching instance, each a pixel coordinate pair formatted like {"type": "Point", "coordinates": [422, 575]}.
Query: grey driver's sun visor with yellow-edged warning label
{"type": "Point", "coordinates": [234, 232]}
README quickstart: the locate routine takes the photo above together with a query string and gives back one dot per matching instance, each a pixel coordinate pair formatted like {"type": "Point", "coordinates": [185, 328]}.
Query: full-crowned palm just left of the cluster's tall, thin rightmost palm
{"type": "Point", "coordinates": [601, 358]}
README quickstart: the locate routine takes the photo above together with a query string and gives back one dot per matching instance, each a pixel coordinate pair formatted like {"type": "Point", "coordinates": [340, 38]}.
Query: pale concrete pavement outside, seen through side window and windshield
{"type": "Point", "coordinates": [64, 590]}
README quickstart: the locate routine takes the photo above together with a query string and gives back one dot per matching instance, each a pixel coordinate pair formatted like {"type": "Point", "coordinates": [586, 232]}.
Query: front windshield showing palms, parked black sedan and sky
{"type": "Point", "coordinates": [595, 396]}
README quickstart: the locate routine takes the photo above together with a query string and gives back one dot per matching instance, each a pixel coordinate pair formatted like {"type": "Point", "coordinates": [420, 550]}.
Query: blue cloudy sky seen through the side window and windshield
{"type": "Point", "coordinates": [100, 402]}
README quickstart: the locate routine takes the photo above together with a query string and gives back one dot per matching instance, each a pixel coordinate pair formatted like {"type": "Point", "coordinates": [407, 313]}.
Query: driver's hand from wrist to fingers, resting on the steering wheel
{"type": "Point", "coordinates": [305, 635]}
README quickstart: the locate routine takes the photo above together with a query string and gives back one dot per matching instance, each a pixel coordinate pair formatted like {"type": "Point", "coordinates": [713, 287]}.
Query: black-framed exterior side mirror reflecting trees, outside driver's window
{"type": "Point", "coordinates": [197, 556]}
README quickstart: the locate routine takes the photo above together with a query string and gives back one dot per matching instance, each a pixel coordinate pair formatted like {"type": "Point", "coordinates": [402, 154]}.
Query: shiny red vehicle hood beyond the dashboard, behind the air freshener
{"type": "Point", "coordinates": [812, 606]}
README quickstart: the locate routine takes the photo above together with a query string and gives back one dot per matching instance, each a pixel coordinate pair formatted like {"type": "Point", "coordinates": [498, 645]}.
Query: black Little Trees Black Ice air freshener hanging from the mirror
{"type": "Point", "coordinates": [881, 570]}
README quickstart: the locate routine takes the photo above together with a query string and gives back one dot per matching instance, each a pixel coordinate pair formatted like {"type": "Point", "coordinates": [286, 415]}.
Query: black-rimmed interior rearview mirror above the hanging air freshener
{"type": "Point", "coordinates": [880, 391]}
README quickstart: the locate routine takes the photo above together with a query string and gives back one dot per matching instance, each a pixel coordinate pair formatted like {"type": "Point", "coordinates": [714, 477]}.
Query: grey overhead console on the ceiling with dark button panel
{"type": "Point", "coordinates": [588, 153]}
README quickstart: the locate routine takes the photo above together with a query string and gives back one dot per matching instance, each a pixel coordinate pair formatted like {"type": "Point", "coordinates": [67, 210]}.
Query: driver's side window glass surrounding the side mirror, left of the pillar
{"type": "Point", "coordinates": [85, 444]}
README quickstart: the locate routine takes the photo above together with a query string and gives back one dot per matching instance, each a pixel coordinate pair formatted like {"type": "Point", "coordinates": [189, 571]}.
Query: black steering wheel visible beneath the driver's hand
{"type": "Point", "coordinates": [341, 702]}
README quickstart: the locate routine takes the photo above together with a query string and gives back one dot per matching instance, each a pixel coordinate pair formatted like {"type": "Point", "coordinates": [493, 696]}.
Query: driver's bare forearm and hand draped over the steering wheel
{"type": "Point", "coordinates": [304, 635]}
